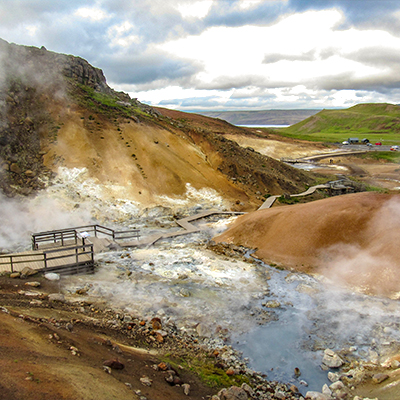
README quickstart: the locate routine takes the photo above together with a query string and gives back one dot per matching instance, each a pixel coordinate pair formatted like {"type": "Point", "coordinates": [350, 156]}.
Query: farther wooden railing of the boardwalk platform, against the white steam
{"type": "Point", "coordinates": [61, 236]}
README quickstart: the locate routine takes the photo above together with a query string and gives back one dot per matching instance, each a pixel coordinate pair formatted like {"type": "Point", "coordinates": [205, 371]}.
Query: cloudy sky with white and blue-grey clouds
{"type": "Point", "coordinates": [224, 54]}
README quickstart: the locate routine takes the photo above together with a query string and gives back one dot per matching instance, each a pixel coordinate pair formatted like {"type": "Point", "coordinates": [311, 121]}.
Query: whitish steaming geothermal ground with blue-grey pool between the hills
{"type": "Point", "coordinates": [280, 320]}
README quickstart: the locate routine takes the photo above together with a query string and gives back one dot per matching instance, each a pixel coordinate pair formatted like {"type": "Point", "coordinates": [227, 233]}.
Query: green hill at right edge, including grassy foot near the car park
{"type": "Point", "coordinates": [379, 121]}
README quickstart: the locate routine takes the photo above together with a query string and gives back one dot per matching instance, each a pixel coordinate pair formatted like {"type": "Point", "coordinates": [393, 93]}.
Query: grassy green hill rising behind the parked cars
{"type": "Point", "coordinates": [360, 119]}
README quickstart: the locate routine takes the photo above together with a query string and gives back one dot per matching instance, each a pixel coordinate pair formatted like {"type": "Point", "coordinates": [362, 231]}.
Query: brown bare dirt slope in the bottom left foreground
{"type": "Point", "coordinates": [53, 350]}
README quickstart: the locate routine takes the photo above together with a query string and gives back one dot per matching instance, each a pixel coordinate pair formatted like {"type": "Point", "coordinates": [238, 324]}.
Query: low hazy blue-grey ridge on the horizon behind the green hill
{"type": "Point", "coordinates": [266, 117]}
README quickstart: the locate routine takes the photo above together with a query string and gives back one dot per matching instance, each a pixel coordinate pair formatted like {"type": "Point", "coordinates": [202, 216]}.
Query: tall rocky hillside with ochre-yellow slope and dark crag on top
{"type": "Point", "coordinates": [58, 111]}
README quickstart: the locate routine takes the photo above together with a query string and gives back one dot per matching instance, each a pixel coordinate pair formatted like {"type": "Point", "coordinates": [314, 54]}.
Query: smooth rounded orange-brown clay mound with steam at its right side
{"type": "Point", "coordinates": [351, 239]}
